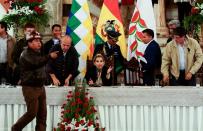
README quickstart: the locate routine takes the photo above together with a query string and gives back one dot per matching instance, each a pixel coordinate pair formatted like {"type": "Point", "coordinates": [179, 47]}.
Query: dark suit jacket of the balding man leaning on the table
{"type": "Point", "coordinates": [62, 66]}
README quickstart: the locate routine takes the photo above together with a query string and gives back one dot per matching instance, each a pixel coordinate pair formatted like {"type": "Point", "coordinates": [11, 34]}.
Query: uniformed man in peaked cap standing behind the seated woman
{"type": "Point", "coordinates": [111, 50]}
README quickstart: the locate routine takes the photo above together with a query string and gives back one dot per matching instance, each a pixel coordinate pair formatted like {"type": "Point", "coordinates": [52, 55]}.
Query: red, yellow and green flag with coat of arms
{"type": "Point", "coordinates": [110, 13]}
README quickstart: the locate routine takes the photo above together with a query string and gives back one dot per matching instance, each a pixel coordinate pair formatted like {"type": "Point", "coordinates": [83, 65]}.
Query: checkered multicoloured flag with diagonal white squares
{"type": "Point", "coordinates": [79, 27]}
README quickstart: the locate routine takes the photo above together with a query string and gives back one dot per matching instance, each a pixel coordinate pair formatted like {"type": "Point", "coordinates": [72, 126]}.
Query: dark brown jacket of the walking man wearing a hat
{"type": "Point", "coordinates": [32, 65]}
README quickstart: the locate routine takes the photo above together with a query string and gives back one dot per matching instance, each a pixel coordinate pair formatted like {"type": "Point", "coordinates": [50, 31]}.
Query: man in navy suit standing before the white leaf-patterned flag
{"type": "Point", "coordinates": [152, 55]}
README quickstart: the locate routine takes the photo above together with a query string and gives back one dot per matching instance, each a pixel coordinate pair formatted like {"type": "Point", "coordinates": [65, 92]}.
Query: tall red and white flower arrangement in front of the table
{"type": "Point", "coordinates": [78, 112]}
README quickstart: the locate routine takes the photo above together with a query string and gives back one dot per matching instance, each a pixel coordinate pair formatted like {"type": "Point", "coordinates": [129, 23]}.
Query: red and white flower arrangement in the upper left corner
{"type": "Point", "coordinates": [27, 11]}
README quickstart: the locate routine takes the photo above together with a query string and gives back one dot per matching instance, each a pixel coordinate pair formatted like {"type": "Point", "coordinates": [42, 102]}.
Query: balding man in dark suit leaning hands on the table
{"type": "Point", "coordinates": [64, 68]}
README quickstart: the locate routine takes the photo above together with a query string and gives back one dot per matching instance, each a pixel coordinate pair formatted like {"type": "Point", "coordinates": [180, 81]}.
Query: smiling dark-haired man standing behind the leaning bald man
{"type": "Point", "coordinates": [56, 32]}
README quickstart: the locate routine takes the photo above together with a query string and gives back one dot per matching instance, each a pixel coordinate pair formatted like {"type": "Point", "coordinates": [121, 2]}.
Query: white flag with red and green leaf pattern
{"type": "Point", "coordinates": [140, 20]}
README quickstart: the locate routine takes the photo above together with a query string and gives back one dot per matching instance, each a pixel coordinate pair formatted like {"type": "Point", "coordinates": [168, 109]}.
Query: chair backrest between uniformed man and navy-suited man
{"type": "Point", "coordinates": [132, 73]}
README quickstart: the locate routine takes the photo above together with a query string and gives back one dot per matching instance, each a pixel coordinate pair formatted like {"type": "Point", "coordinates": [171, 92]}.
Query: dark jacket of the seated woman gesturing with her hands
{"type": "Point", "coordinates": [92, 74]}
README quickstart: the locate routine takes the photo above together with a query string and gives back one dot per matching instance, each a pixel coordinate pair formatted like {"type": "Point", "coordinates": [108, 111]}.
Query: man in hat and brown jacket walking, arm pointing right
{"type": "Point", "coordinates": [32, 65]}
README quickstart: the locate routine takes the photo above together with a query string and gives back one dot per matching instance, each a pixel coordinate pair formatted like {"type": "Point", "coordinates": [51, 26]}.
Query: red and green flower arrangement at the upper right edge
{"type": "Point", "coordinates": [192, 23]}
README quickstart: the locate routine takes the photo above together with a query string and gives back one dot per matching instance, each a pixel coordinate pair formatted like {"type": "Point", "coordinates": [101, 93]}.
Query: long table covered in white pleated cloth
{"type": "Point", "coordinates": [121, 108]}
